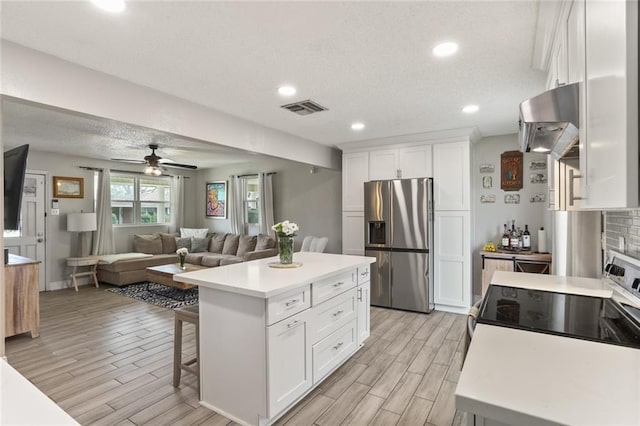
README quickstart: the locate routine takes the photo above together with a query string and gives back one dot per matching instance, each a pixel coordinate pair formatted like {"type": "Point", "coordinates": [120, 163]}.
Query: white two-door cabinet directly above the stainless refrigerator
{"type": "Point", "coordinates": [400, 163]}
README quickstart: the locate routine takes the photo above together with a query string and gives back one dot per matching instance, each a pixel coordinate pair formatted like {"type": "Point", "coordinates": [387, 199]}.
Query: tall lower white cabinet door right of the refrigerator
{"type": "Point", "coordinates": [452, 259]}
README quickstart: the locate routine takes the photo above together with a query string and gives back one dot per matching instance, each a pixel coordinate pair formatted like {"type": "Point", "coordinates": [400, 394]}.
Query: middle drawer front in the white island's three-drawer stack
{"type": "Point", "coordinates": [333, 314]}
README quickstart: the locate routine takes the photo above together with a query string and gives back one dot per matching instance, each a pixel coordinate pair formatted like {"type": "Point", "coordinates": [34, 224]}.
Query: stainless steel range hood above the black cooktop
{"type": "Point", "coordinates": [549, 122]}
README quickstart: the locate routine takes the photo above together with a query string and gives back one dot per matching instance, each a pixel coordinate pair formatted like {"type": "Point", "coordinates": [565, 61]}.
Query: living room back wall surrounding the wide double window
{"type": "Point", "coordinates": [60, 243]}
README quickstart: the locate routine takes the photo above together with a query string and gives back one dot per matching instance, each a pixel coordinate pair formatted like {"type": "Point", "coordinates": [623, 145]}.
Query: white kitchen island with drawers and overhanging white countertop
{"type": "Point", "coordinates": [269, 335]}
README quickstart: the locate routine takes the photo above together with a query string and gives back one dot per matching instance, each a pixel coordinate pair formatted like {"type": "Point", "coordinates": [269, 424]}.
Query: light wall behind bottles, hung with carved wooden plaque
{"type": "Point", "coordinates": [490, 218]}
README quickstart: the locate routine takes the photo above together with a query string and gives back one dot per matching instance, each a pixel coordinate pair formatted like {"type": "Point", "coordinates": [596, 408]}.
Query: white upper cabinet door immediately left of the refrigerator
{"type": "Point", "coordinates": [355, 172]}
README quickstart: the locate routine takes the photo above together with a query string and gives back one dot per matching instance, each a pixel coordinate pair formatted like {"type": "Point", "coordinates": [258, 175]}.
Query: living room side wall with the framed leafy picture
{"type": "Point", "coordinates": [313, 201]}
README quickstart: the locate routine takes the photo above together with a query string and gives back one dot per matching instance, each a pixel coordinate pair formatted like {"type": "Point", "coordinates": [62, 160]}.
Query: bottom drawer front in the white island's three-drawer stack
{"type": "Point", "coordinates": [330, 352]}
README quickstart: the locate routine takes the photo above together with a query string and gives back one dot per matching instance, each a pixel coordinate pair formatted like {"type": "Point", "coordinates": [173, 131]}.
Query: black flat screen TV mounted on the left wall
{"type": "Point", "coordinates": [15, 166]}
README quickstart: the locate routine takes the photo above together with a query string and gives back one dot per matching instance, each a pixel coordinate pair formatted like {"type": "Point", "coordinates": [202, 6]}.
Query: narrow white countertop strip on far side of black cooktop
{"type": "Point", "coordinates": [570, 285]}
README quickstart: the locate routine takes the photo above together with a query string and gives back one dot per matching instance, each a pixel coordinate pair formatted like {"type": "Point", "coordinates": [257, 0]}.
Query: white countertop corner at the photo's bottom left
{"type": "Point", "coordinates": [21, 403]}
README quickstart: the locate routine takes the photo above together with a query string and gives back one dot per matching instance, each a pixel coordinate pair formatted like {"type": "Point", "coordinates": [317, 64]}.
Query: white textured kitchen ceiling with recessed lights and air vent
{"type": "Point", "coordinates": [366, 61]}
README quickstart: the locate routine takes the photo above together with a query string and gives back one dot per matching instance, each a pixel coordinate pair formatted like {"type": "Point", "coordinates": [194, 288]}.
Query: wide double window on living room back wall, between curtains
{"type": "Point", "coordinates": [140, 200]}
